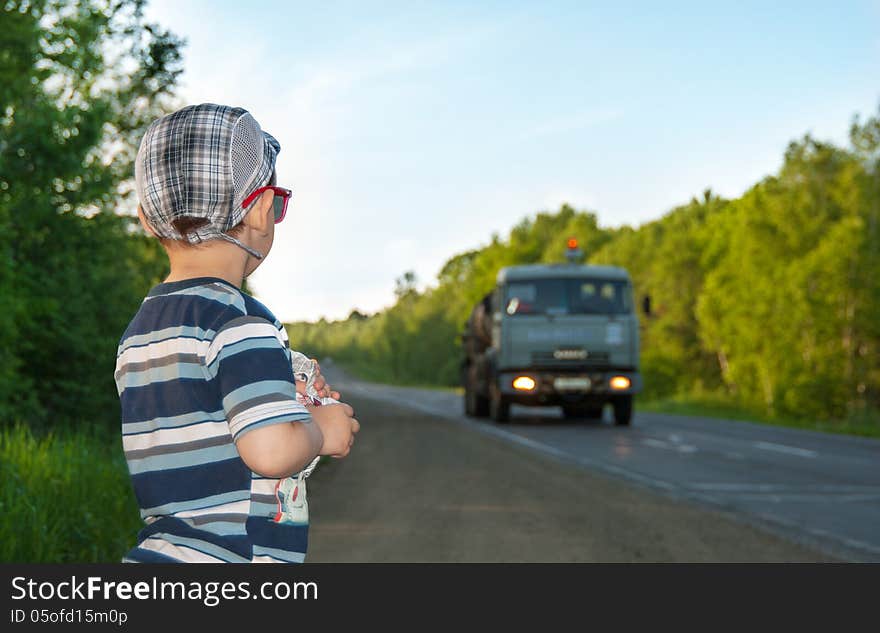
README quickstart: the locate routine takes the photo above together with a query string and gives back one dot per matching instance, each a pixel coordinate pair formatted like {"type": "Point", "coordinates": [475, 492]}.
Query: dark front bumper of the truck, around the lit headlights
{"type": "Point", "coordinates": [589, 387]}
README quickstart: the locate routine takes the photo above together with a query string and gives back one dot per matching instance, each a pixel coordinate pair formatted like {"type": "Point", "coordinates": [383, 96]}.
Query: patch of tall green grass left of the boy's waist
{"type": "Point", "coordinates": [64, 497]}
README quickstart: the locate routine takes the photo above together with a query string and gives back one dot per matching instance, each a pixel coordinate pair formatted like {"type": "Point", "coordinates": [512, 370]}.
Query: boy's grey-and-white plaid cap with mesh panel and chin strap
{"type": "Point", "coordinates": [203, 161]}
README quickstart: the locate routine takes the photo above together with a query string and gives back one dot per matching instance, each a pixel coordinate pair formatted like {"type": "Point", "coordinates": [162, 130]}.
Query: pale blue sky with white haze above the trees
{"type": "Point", "coordinates": [412, 131]}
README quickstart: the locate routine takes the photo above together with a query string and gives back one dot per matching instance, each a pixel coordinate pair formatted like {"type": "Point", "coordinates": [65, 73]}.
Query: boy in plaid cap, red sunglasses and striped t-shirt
{"type": "Point", "coordinates": [212, 427]}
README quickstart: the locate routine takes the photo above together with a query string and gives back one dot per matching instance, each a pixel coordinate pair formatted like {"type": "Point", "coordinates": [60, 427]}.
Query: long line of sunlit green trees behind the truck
{"type": "Point", "coordinates": [769, 302]}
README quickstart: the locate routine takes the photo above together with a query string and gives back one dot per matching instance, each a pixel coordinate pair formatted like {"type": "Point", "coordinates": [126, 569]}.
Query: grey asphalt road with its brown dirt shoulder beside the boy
{"type": "Point", "coordinates": [418, 487]}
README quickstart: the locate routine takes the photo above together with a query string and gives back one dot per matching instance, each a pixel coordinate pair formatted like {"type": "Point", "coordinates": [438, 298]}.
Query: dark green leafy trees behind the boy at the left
{"type": "Point", "coordinates": [81, 81]}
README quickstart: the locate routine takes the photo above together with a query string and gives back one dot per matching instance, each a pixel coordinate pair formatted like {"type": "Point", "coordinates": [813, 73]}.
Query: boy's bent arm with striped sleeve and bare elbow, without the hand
{"type": "Point", "coordinates": [274, 434]}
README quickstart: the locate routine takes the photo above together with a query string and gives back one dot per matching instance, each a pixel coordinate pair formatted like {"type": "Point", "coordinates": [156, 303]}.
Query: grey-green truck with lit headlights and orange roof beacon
{"type": "Point", "coordinates": [554, 334]}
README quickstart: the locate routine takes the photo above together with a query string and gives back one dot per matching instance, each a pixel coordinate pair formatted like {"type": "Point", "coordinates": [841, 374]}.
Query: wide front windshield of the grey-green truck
{"type": "Point", "coordinates": [567, 296]}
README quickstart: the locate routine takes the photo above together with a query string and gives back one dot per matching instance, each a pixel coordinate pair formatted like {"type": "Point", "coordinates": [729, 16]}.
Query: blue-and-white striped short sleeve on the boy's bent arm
{"type": "Point", "coordinates": [250, 363]}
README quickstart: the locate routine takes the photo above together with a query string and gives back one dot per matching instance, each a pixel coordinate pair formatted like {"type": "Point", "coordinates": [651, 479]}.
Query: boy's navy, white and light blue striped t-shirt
{"type": "Point", "coordinates": [201, 364]}
